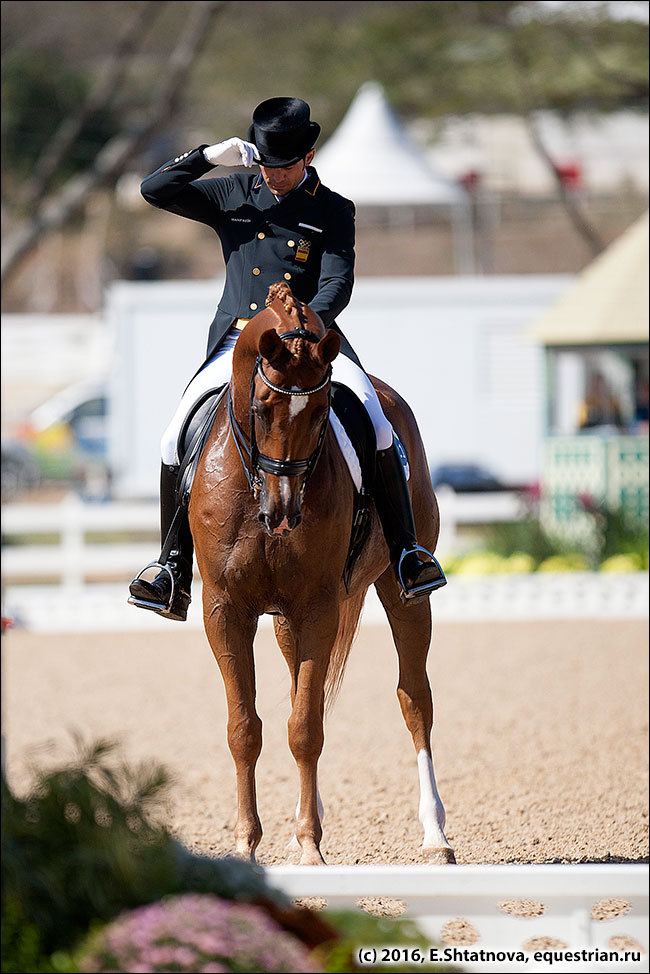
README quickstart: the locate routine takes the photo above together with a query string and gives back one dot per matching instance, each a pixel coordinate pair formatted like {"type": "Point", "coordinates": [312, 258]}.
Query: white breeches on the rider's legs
{"type": "Point", "coordinates": [218, 370]}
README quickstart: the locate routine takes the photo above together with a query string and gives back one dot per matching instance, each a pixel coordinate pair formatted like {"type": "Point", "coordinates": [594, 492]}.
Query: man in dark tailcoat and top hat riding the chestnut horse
{"type": "Point", "coordinates": [279, 225]}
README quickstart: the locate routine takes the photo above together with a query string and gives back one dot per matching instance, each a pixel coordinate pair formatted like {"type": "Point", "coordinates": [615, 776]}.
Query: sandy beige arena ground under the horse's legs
{"type": "Point", "coordinates": [540, 738]}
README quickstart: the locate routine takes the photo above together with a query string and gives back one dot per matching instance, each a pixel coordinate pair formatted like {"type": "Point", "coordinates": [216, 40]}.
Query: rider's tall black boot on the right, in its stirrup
{"type": "Point", "coordinates": [417, 578]}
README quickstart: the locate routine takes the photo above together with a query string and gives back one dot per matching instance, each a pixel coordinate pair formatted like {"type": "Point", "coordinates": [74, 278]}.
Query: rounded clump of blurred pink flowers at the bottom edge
{"type": "Point", "coordinates": [195, 933]}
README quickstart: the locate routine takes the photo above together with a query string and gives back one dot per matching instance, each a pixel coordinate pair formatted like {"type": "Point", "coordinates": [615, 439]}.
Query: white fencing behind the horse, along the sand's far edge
{"type": "Point", "coordinates": [77, 583]}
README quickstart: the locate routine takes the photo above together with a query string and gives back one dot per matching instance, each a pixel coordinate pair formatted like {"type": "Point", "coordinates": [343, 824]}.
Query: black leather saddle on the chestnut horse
{"type": "Point", "coordinates": [357, 426]}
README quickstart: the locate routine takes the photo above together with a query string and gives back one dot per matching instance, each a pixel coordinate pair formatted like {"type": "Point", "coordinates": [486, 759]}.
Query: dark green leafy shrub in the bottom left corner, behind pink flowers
{"type": "Point", "coordinates": [86, 844]}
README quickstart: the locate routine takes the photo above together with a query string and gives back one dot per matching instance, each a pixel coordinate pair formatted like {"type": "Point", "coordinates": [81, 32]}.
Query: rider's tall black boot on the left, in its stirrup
{"type": "Point", "coordinates": [169, 593]}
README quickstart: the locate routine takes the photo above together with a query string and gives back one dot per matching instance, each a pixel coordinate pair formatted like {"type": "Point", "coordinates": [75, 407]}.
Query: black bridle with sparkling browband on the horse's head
{"type": "Point", "coordinates": [252, 460]}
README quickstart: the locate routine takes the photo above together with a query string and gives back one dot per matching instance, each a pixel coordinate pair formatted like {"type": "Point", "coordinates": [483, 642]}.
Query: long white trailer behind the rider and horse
{"type": "Point", "coordinates": [456, 348]}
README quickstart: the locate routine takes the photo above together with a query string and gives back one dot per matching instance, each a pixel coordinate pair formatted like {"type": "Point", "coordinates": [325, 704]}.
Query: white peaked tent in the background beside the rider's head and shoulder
{"type": "Point", "coordinates": [372, 160]}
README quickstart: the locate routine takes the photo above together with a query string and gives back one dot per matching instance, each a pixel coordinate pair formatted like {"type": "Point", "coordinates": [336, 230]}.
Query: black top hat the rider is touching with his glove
{"type": "Point", "coordinates": [282, 131]}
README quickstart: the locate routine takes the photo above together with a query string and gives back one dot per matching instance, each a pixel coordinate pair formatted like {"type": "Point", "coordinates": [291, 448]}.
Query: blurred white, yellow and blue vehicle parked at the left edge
{"type": "Point", "coordinates": [63, 440]}
